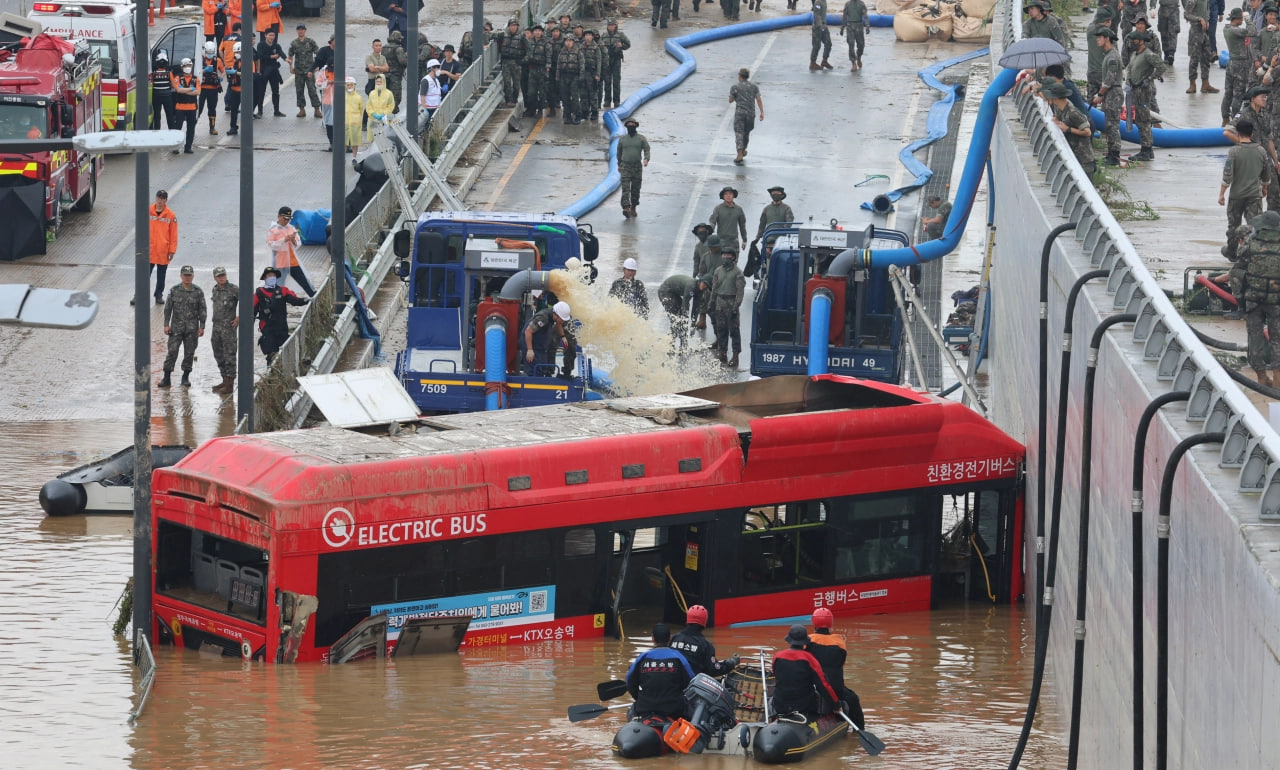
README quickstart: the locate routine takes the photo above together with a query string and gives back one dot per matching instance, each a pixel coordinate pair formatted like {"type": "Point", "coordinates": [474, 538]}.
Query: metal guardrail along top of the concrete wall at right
{"type": "Point", "coordinates": [1183, 363]}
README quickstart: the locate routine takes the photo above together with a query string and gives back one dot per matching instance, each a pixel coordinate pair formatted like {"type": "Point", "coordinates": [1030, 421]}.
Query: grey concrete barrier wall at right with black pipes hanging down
{"type": "Point", "coordinates": [1224, 601]}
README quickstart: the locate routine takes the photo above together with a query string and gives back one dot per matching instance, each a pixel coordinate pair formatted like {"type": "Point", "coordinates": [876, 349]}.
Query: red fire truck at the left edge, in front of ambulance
{"type": "Point", "coordinates": [49, 89]}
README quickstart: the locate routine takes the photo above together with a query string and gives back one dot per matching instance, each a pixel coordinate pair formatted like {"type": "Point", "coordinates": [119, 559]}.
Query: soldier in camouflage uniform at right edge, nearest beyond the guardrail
{"type": "Point", "coordinates": [1261, 283]}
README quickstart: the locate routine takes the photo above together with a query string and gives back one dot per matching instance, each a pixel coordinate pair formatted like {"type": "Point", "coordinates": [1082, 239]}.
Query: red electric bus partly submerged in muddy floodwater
{"type": "Point", "coordinates": [760, 501]}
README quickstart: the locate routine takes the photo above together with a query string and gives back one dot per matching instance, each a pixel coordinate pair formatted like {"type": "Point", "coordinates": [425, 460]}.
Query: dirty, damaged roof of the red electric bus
{"type": "Point", "coordinates": [780, 430]}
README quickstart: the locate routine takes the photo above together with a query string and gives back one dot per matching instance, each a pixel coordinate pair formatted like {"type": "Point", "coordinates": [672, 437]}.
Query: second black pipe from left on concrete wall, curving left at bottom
{"type": "Point", "coordinates": [1046, 609]}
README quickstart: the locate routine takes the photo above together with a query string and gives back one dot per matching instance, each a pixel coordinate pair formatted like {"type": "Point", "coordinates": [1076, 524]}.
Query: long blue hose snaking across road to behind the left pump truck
{"type": "Point", "coordinates": [676, 47]}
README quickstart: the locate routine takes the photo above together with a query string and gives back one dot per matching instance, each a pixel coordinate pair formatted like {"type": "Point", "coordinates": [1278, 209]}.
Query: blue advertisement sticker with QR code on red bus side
{"type": "Point", "coordinates": [497, 609]}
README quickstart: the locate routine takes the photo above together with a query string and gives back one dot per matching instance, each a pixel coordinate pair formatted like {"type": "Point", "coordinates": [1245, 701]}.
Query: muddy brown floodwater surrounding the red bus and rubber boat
{"type": "Point", "coordinates": [944, 690]}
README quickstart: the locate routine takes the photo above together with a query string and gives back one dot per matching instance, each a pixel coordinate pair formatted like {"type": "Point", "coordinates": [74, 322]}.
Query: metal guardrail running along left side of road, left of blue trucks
{"type": "Point", "coordinates": [316, 346]}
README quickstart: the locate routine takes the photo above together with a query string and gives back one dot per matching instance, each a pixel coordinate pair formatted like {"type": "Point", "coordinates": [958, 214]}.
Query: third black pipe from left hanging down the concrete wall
{"type": "Point", "coordinates": [1082, 571]}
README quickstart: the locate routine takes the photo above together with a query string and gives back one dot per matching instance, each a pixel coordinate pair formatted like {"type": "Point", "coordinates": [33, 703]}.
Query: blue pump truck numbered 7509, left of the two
{"type": "Point", "coordinates": [458, 264]}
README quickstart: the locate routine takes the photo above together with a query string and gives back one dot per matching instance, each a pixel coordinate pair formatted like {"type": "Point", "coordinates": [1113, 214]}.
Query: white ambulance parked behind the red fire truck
{"type": "Point", "coordinates": [108, 29]}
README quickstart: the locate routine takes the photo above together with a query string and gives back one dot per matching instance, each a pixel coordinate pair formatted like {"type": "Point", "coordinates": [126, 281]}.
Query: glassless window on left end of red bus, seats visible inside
{"type": "Point", "coordinates": [212, 572]}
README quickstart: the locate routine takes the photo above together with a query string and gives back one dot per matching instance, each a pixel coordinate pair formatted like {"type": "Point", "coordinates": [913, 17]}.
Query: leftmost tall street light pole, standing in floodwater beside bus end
{"type": "Point", "coordinates": [143, 343]}
